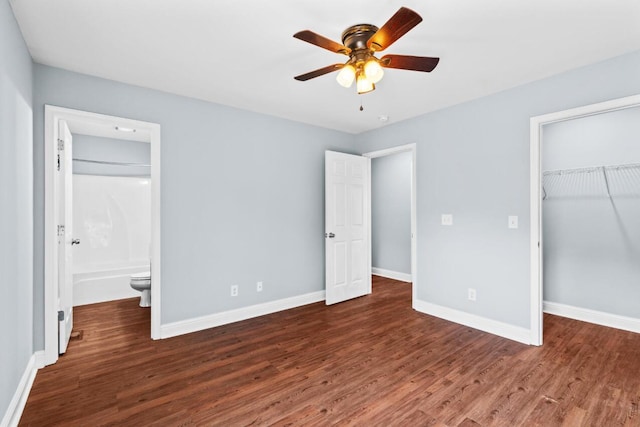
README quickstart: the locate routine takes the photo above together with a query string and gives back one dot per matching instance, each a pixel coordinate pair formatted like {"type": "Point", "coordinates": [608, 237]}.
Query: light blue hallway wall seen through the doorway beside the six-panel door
{"type": "Point", "coordinates": [391, 212]}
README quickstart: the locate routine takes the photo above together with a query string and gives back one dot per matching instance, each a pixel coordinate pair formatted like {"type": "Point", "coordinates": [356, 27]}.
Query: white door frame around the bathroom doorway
{"type": "Point", "coordinates": [51, 117]}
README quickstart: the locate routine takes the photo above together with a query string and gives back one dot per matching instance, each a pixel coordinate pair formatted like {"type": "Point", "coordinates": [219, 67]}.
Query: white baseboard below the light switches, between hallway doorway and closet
{"type": "Point", "coordinates": [515, 333]}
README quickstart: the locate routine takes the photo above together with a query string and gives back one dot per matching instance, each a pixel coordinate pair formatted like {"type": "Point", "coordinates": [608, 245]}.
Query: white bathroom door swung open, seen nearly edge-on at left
{"type": "Point", "coordinates": [65, 236]}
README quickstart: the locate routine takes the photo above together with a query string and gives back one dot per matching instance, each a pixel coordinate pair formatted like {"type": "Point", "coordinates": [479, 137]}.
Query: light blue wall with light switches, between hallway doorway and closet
{"type": "Point", "coordinates": [473, 162]}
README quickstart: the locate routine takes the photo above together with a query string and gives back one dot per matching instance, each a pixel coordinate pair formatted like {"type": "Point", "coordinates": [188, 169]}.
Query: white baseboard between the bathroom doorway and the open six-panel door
{"type": "Point", "coordinates": [210, 321]}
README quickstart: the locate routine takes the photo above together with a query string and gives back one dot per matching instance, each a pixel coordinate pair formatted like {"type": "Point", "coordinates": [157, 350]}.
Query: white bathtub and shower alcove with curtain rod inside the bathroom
{"type": "Point", "coordinates": [111, 216]}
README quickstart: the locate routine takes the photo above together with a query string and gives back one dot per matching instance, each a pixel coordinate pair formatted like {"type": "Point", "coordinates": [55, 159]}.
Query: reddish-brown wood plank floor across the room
{"type": "Point", "coordinates": [369, 361]}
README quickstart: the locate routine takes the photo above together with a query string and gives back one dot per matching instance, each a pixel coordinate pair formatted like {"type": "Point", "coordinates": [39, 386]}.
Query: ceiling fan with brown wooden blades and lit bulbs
{"type": "Point", "coordinates": [360, 43]}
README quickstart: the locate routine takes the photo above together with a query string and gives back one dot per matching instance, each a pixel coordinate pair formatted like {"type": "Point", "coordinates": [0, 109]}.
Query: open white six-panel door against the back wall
{"type": "Point", "coordinates": [347, 226]}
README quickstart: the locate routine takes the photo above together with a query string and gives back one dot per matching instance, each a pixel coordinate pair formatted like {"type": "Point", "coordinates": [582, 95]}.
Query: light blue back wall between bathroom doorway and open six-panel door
{"type": "Point", "coordinates": [242, 194]}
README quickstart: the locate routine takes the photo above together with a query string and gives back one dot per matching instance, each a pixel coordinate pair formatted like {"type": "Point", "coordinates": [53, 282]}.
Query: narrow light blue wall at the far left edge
{"type": "Point", "coordinates": [16, 206]}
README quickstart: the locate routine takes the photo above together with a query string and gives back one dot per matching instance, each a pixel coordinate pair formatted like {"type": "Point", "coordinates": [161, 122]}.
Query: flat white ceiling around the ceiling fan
{"type": "Point", "coordinates": [241, 53]}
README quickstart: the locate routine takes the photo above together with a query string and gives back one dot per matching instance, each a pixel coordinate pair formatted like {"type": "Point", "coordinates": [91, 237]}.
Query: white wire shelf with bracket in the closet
{"type": "Point", "coordinates": [592, 182]}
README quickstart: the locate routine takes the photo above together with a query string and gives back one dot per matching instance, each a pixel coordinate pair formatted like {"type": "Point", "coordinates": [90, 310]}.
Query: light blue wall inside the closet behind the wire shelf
{"type": "Point", "coordinates": [591, 243]}
